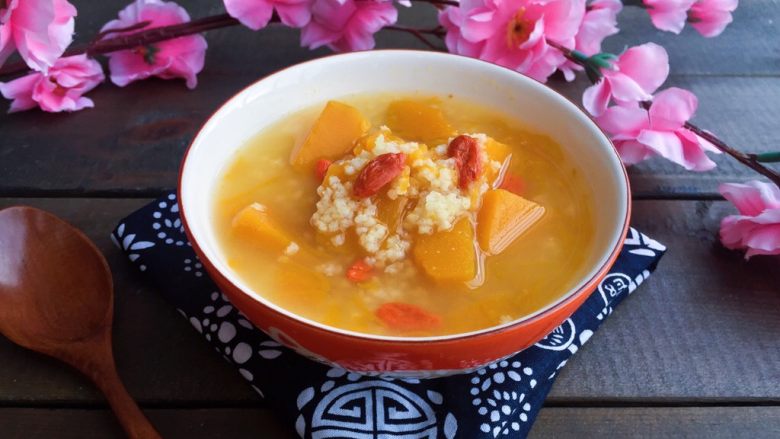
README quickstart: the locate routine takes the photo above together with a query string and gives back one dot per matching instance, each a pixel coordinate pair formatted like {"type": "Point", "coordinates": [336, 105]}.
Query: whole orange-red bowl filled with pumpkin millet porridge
{"type": "Point", "coordinates": [401, 212]}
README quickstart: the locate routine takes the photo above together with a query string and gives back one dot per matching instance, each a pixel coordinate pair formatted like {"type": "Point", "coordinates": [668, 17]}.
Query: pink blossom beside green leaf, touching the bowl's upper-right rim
{"type": "Point", "coordinates": [634, 76]}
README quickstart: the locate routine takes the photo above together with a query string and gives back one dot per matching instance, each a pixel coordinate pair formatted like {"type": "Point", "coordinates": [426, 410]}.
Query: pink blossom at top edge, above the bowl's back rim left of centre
{"type": "Point", "coordinates": [347, 25]}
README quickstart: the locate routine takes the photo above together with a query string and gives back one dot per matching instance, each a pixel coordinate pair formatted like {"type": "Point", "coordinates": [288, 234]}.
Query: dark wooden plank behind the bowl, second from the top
{"type": "Point", "coordinates": [135, 149]}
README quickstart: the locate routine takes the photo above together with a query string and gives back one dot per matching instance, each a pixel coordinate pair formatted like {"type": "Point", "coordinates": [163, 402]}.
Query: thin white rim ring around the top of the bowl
{"type": "Point", "coordinates": [598, 270]}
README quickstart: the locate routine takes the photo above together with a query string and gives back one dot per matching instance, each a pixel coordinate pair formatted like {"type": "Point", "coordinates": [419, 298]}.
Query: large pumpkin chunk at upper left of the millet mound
{"type": "Point", "coordinates": [333, 134]}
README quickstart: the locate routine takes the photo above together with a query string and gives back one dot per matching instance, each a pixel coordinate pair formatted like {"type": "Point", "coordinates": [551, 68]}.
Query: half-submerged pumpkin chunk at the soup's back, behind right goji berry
{"type": "Point", "coordinates": [418, 121]}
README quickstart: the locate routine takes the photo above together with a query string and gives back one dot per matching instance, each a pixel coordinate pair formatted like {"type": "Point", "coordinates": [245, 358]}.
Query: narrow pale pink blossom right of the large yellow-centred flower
{"type": "Point", "coordinates": [599, 22]}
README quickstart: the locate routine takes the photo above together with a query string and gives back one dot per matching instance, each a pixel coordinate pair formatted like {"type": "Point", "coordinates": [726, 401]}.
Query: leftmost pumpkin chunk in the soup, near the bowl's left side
{"type": "Point", "coordinates": [254, 224]}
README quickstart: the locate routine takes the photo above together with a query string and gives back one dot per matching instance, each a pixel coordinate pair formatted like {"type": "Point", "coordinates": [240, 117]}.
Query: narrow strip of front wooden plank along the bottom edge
{"type": "Point", "coordinates": [553, 422]}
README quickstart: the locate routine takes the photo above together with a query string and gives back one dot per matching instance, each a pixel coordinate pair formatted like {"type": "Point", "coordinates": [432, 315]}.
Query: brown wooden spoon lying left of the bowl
{"type": "Point", "coordinates": [56, 297]}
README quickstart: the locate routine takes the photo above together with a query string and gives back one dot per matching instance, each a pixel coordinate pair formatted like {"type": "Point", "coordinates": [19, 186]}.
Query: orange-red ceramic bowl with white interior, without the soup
{"type": "Point", "coordinates": [301, 86]}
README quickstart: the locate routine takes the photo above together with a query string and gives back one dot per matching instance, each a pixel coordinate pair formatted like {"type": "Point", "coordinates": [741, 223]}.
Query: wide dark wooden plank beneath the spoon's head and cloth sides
{"type": "Point", "coordinates": [703, 328]}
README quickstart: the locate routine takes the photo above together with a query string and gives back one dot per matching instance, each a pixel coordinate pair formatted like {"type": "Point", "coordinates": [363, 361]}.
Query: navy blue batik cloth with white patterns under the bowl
{"type": "Point", "coordinates": [319, 401]}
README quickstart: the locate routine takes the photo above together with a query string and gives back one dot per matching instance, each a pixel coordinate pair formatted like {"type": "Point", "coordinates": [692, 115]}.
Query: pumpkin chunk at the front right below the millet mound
{"type": "Point", "coordinates": [448, 256]}
